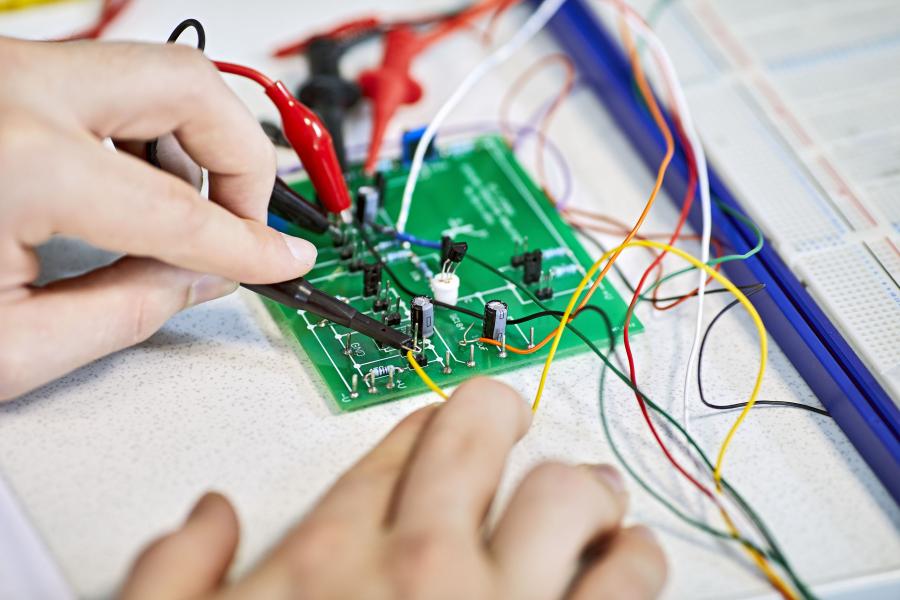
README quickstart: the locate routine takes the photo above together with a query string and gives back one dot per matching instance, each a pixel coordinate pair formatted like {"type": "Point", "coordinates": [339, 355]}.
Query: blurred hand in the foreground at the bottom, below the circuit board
{"type": "Point", "coordinates": [408, 521]}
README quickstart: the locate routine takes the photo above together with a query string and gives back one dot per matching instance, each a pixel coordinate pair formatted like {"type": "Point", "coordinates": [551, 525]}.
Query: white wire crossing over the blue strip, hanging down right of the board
{"type": "Point", "coordinates": [665, 63]}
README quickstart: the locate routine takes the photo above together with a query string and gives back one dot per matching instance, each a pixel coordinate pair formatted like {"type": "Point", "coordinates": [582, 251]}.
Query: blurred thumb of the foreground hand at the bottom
{"type": "Point", "coordinates": [191, 561]}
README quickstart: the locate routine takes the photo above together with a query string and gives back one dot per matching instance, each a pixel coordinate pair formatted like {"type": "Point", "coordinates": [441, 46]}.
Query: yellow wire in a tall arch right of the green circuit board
{"type": "Point", "coordinates": [763, 342]}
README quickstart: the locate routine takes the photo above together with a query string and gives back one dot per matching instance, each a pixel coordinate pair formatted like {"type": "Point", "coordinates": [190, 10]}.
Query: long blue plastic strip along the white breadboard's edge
{"type": "Point", "coordinates": [859, 405]}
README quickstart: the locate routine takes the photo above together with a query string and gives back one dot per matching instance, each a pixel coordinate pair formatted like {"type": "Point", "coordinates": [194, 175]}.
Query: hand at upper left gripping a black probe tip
{"type": "Point", "coordinates": [57, 103]}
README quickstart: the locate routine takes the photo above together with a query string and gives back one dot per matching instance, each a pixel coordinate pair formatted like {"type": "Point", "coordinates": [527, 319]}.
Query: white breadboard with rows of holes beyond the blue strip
{"type": "Point", "coordinates": [805, 130]}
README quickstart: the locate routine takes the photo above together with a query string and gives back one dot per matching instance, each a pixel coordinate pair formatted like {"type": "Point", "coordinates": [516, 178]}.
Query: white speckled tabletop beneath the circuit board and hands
{"type": "Point", "coordinates": [110, 456]}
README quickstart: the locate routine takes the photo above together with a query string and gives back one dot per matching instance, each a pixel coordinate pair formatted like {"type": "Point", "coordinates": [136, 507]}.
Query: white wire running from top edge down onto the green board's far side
{"type": "Point", "coordinates": [535, 23]}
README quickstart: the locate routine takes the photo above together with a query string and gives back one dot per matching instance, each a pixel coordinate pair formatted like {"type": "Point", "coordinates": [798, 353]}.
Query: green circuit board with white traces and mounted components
{"type": "Point", "coordinates": [475, 192]}
